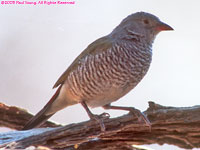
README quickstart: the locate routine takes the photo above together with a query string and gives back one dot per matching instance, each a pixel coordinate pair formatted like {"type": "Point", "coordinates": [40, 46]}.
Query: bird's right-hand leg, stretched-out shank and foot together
{"type": "Point", "coordinates": [136, 112]}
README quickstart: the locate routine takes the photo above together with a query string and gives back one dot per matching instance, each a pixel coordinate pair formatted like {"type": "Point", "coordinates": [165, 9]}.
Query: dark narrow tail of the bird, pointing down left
{"type": "Point", "coordinates": [41, 116]}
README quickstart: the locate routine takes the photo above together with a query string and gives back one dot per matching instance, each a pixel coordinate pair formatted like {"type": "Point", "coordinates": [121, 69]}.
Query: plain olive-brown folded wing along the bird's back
{"type": "Point", "coordinates": [94, 48]}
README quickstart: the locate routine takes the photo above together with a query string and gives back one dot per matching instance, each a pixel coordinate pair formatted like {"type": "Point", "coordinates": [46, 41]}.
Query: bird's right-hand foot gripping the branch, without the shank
{"type": "Point", "coordinates": [141, 117]}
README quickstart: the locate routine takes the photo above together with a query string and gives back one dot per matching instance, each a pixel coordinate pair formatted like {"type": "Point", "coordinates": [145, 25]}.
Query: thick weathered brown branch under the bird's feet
{"type": "Point", "coordinates": [170, 125]}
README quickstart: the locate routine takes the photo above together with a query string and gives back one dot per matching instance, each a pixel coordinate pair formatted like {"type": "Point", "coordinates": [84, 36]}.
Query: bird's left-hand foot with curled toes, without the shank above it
{"type": "Point", "coordinates": [100, 118]}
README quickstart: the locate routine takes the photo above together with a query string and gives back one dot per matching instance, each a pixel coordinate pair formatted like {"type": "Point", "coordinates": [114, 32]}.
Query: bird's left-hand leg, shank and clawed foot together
{"type": "Point", "coordinates": [98, 118]}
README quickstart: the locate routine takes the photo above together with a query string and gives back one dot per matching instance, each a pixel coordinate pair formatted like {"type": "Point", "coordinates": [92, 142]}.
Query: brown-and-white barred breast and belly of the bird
{"type": "Point", "coordinates": [106, 76]}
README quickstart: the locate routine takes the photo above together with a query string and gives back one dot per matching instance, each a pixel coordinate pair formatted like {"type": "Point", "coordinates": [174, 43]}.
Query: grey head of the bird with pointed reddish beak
{"type": "Point", "coordinates": [141, 24]}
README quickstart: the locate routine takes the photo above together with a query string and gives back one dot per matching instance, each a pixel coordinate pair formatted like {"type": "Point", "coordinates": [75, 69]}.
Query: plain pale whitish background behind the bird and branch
{"type": "Point", "coordinates": [37, 44]}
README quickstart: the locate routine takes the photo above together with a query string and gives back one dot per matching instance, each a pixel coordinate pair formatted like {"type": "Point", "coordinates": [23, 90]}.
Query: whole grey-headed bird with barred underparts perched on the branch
{"type": "Point", "coordinates": [106, 70]}
